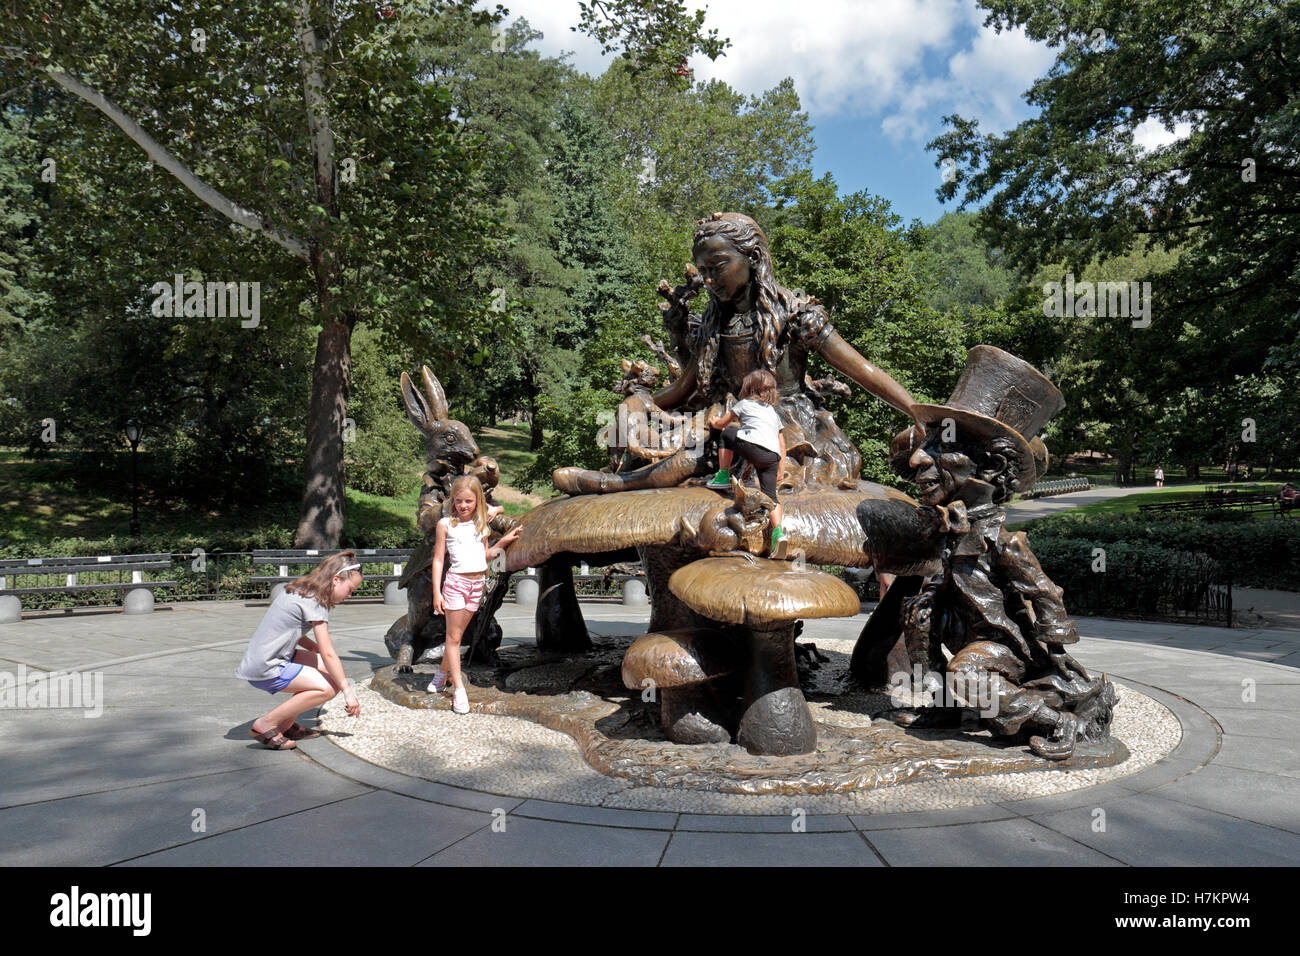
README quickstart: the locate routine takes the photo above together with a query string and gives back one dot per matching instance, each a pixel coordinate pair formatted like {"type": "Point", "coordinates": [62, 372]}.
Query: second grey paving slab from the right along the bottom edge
{"type": "Point", "coordinates": [1000, 843]}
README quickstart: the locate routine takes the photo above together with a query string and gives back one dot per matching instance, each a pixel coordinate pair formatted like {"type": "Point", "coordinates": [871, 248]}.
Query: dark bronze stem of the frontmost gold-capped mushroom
{"type": "Point", "coordinates": [777, 719]}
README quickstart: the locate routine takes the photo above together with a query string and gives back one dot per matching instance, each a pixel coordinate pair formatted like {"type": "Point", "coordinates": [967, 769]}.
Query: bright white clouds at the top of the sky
{"type": "Point", "coordinates": [903, 62]}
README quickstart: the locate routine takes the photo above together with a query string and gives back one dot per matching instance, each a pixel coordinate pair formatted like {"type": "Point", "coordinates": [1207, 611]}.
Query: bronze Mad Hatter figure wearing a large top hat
{"type": "Point", "coordinates": [970, 586]}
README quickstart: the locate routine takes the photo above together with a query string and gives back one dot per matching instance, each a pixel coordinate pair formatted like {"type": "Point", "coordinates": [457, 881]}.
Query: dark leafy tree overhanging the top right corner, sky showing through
{"type": "Point", "coordinates": [1074, 185]}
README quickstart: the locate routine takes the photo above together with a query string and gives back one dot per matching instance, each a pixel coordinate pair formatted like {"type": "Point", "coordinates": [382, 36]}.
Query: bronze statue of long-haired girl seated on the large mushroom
{"type": "Point", "coordinates": [751, 323]}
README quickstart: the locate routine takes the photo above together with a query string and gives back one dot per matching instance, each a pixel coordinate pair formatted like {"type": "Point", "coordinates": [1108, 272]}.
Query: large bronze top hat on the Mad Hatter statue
{"type": "Point", "coordinates": [1000, 396]}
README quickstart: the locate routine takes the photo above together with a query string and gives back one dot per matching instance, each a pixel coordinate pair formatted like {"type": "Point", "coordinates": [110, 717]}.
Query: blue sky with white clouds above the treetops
{"type": "Point", "coordinates": [877, 77]}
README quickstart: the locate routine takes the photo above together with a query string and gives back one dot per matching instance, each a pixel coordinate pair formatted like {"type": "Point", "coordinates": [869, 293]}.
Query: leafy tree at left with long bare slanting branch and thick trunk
{"type": "Point", "coordinates": [315, 133]}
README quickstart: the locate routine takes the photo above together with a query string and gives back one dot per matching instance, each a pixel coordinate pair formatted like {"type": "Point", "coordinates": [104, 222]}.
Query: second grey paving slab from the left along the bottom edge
{"type": "Point", "coordinates": [370, 830]}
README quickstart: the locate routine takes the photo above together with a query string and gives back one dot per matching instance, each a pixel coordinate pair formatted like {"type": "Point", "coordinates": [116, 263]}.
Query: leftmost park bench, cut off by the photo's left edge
{"type": "Point", "coordinates": [81, 574]}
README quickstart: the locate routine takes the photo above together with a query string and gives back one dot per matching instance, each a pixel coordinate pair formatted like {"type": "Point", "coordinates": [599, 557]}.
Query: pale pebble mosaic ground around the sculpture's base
{"type": "Point", "coordinates": [519, 758]}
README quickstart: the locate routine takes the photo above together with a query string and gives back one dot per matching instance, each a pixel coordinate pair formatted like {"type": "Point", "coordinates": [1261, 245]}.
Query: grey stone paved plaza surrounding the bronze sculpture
{"type": "Point", "coordinates": [167, 775]}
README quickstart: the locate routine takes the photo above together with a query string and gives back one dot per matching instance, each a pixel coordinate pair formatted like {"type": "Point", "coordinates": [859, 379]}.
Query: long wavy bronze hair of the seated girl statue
{"type": "Point", "coordinates": [773, 302]}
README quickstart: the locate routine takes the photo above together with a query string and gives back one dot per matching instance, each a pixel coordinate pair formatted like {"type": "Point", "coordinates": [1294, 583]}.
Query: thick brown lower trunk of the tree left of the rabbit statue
{"type": "Point", "coordinates": [322, 521]}
